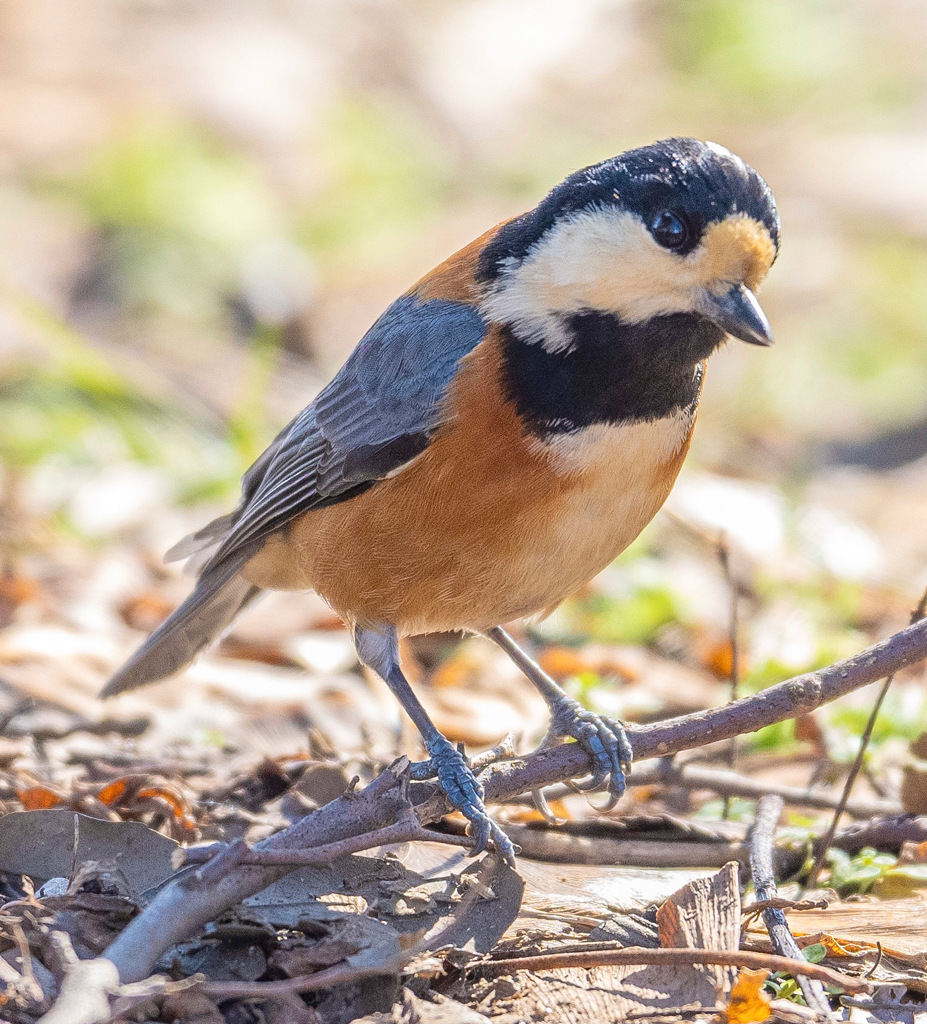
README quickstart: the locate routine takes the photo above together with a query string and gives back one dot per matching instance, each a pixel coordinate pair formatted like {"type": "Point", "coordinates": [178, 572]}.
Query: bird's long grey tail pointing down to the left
{"type": "Point", "coordinates": [220, 595]}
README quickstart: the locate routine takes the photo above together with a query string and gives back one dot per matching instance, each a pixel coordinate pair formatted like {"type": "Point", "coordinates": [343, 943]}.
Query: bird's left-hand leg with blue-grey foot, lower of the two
{"type": "Point", "coordinates": [380, 650]}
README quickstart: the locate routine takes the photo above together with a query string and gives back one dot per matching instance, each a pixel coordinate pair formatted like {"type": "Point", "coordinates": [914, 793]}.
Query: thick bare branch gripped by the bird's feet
{"type": "Point", "coordinates": [187, 904]}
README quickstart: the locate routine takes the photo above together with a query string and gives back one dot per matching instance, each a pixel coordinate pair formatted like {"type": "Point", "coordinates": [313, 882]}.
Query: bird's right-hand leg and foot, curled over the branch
{"type": "Point", "coordinates": [603, 739]}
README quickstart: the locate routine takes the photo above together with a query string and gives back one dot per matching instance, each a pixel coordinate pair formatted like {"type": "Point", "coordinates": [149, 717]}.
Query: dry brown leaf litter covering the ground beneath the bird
{"type": "Point", "coordinates": [98, 801]}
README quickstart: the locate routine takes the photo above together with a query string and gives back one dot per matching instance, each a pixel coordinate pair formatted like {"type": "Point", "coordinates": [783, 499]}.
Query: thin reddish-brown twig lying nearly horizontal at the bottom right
{"type": "Point", "coordinates": [633, 957]}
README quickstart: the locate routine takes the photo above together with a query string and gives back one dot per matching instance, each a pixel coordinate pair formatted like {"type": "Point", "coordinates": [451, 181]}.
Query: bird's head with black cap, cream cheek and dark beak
{"type": "Point", "coordinates": [681, 227]}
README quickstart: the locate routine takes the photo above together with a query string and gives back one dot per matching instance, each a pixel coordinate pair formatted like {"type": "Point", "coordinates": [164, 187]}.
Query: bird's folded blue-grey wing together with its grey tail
{"type": "Point", "coordinates": [378, 414]}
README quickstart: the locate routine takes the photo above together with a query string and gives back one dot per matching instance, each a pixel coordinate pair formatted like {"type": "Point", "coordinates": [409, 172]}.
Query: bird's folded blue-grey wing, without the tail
{"type": "Point", "coordinates": [378, 413]}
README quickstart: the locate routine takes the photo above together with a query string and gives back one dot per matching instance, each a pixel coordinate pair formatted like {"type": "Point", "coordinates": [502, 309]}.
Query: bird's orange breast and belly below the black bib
{"type": "Point", "coordinates": [488, 525]}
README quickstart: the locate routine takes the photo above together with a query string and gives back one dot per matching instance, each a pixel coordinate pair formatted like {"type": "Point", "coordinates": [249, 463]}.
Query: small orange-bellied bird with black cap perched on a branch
{"type": "Point", "coordinates": [503, 432]}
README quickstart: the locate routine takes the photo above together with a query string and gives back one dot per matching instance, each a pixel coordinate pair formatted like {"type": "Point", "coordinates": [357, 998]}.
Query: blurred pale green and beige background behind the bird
{"type": "Point", "coordinates": [205, 203]}
